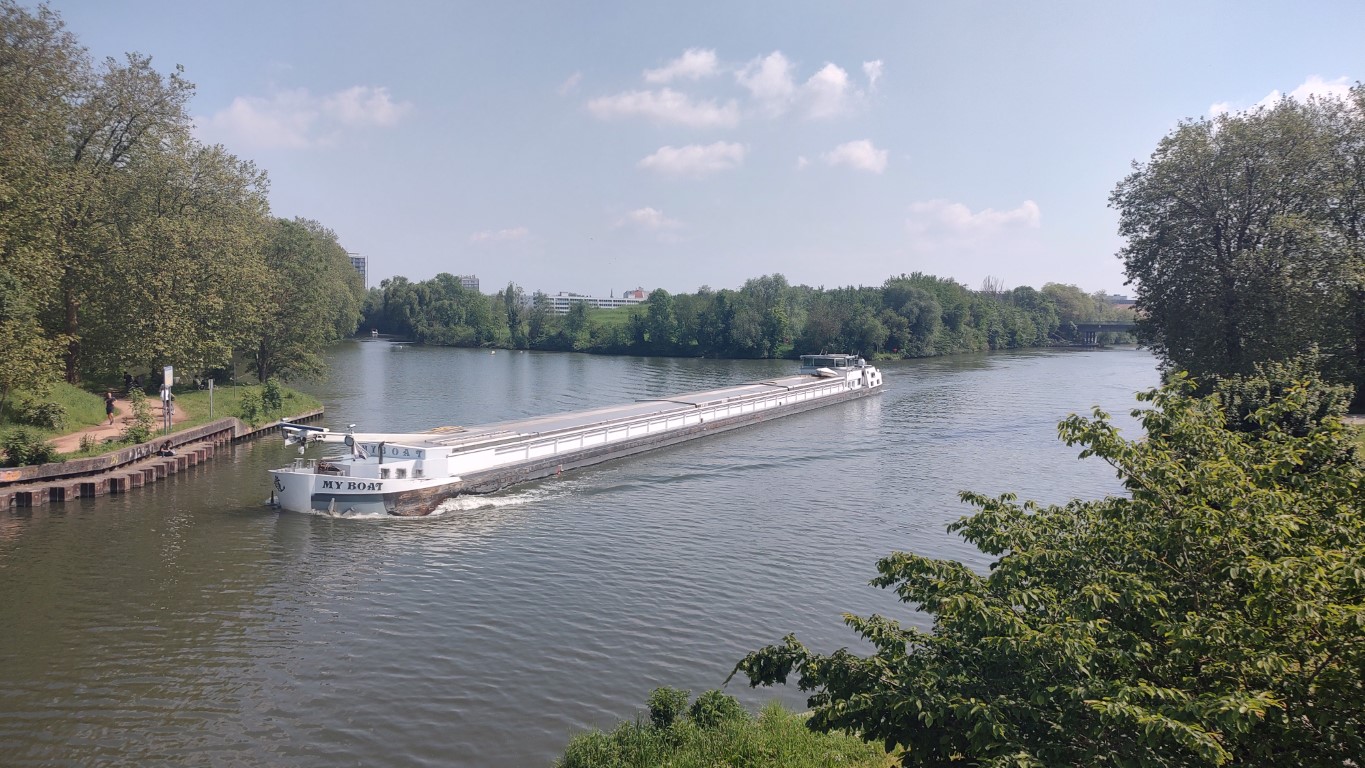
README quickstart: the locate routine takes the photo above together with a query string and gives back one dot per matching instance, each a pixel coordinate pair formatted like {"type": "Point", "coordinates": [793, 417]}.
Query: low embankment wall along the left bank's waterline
{"type": "Point", "coordinates": [130, 467]}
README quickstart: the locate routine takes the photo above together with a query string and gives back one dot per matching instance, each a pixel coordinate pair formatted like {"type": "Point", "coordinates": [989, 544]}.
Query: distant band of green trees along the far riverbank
{"type": "Point", "coordinates": [913, 316]}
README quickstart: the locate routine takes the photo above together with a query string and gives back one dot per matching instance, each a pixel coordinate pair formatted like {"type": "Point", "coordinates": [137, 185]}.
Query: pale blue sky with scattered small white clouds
{"type": "Point", "coordinates": [604, 147]}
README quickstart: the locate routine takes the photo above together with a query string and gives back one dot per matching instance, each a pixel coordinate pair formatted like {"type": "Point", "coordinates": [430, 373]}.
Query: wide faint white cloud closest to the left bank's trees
{"type": "Point", "coordinates": [297, 119]}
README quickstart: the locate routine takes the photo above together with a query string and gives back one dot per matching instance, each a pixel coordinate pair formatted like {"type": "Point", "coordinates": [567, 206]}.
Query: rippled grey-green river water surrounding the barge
{"type": "Point", "coordinates": [186, 624]}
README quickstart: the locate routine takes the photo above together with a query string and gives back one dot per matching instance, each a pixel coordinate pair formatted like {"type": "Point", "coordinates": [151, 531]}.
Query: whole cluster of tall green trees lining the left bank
{"type": "Point", "coordinates": [128, 245]}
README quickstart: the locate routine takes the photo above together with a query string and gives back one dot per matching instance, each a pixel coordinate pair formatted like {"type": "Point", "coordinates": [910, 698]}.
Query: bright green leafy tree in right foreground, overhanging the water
{"type": "Point", "coordinates": [1214, 616]}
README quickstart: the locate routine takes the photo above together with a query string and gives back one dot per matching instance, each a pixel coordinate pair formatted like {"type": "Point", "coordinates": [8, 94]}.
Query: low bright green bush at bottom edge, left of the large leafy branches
{"type": "Point", "coordinates": [717, 732]}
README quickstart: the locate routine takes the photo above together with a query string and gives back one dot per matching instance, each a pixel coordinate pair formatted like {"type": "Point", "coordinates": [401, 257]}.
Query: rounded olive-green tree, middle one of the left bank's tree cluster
{"type": "Point", "coordinates": [185, 278]}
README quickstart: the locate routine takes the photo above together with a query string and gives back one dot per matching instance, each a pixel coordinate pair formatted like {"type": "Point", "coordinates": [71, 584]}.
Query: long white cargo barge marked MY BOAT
{"type": "Point", "coordinates": [412, 474]}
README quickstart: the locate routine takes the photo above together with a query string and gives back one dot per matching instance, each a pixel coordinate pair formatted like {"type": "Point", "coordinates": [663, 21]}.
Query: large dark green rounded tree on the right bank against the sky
{"type": "Point", "coordinates": [1246, 239]}
